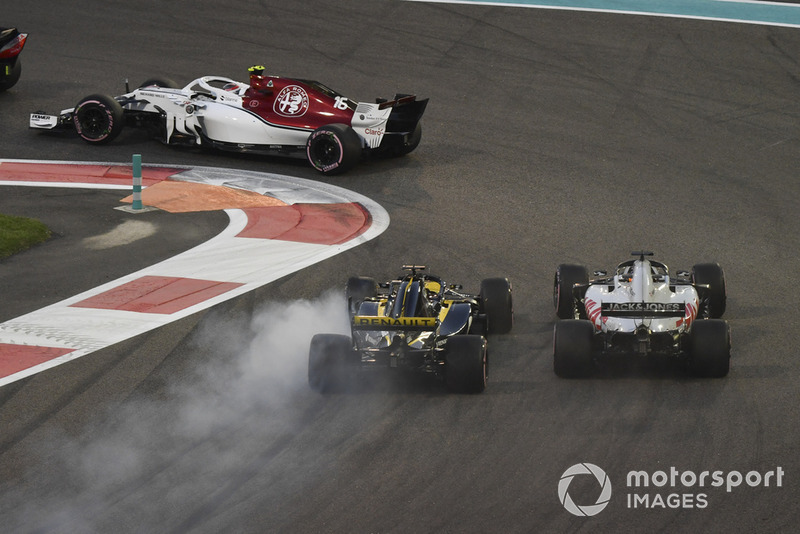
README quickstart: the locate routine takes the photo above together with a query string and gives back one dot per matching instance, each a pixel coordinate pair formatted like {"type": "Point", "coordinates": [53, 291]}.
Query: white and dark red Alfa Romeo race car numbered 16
{"type": "Point", "coordinates": [270, 115]}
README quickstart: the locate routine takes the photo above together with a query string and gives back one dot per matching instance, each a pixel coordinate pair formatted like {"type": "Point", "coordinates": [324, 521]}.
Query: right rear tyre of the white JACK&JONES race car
{"type": "Point", "coordinates": [710, 348]}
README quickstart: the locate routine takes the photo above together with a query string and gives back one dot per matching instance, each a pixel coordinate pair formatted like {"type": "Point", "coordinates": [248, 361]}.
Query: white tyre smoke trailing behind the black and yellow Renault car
{"type": "Point", "coordinates": [166, 459]}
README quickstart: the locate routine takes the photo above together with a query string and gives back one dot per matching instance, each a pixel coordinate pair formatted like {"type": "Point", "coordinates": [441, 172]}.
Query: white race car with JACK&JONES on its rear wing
{"type": "Point", "coordinates": [641, 309]}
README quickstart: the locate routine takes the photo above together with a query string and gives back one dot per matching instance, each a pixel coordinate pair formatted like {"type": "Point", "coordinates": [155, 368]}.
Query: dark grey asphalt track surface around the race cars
{"type": "Point", "coordinates": [550, 137]}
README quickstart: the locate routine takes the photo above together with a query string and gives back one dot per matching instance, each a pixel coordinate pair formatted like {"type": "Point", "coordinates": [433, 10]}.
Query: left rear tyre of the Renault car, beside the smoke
{"type": "Point", "coordinates": [331, 363]}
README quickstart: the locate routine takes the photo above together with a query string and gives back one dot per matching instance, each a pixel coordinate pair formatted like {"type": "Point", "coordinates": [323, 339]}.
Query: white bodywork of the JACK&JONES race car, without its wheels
{"type": "Point", "coordinates": [641, 296]}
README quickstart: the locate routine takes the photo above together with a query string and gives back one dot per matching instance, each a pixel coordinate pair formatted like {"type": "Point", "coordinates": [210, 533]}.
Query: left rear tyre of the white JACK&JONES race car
{"type": "Point", "coordinates": [572, 348]}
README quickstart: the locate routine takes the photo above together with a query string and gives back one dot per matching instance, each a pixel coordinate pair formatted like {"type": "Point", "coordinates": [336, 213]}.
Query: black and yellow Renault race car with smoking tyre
{"type": "Point", "coordinates": [416, 323]}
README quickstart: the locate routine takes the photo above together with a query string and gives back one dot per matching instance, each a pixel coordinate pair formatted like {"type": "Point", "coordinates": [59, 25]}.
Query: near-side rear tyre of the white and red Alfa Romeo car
{"type": "Point", "coordinates": [333, 148]}
